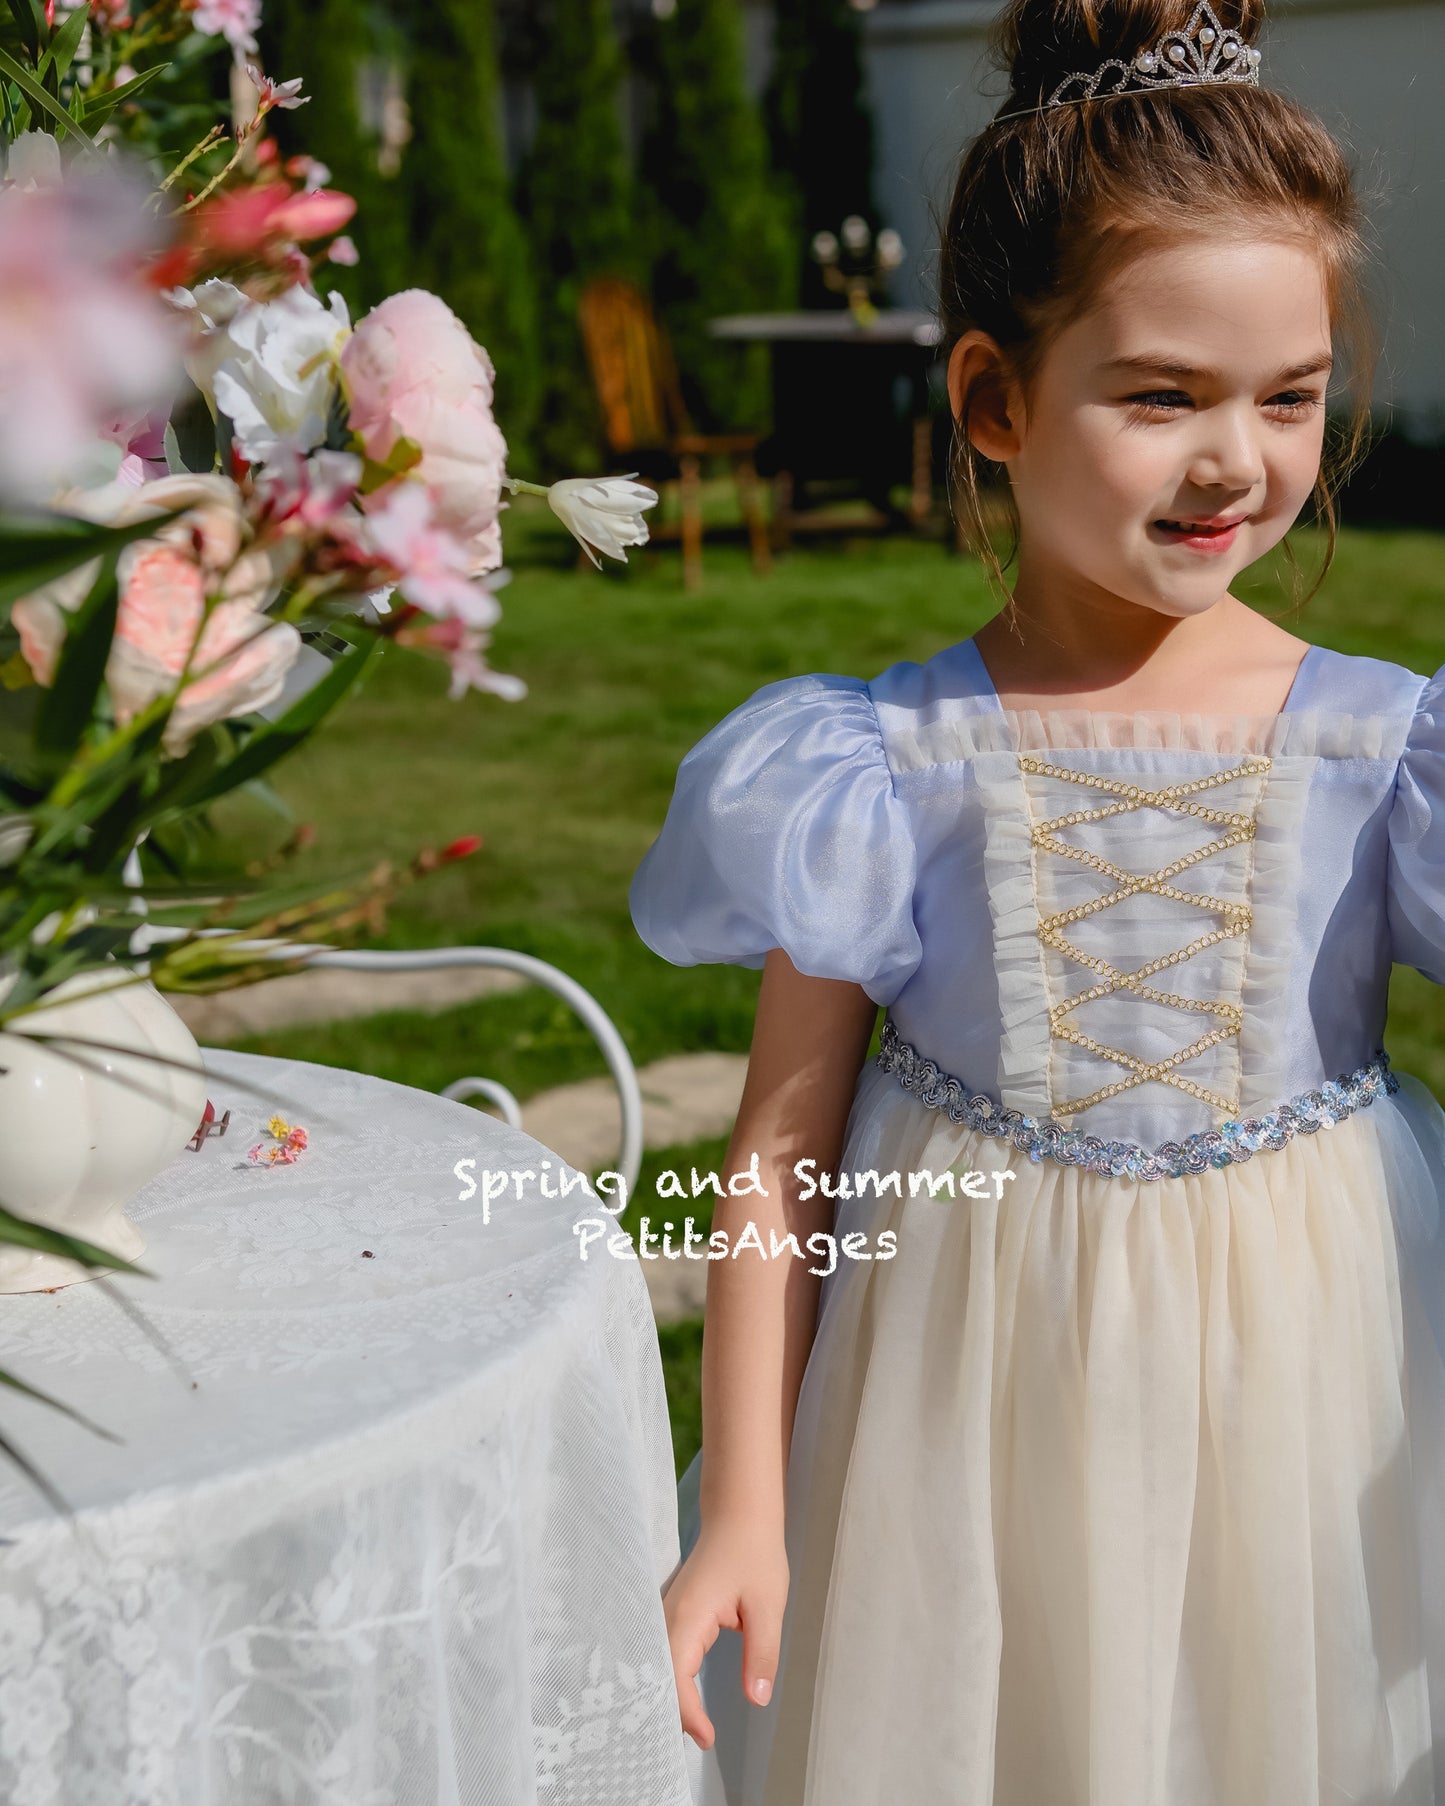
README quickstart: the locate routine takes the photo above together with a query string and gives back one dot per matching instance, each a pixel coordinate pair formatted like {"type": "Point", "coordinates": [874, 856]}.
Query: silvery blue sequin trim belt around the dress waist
{"type": "Point", "coordinates": [1235, 1140]}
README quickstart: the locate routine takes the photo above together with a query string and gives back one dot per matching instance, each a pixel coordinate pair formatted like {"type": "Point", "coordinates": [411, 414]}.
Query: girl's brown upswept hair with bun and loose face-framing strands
{"type": "Point", "coordinates": [1047, 203]}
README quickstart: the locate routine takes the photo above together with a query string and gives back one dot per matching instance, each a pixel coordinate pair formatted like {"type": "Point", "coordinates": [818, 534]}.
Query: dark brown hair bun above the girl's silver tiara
{"type": "Point", "coordinates": [1041, 42]}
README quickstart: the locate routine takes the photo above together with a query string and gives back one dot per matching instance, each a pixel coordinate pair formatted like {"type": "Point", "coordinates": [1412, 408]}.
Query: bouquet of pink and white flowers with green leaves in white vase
{"type": "Point", "coordinates": [219, 501]}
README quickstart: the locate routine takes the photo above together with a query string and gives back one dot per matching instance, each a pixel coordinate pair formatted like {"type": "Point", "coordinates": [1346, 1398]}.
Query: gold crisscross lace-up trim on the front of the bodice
{"type": "Point", "coordinates": [1238, 917]}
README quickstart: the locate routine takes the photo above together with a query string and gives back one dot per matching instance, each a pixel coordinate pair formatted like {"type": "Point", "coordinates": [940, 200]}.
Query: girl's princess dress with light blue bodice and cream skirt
{"type": "Point", "coordinates": [1124, 1487]}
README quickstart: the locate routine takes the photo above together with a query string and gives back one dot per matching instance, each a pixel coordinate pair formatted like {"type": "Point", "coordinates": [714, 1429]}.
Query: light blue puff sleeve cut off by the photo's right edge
{"type": "Point", "coordinates": [1417, 841]}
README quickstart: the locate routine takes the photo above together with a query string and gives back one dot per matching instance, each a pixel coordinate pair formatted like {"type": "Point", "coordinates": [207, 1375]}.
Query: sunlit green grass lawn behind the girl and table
{"type": "Point", "coordinates": [570, 787]}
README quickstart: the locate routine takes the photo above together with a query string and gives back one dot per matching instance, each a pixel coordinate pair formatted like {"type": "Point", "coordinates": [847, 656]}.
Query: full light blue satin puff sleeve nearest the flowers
{"type": "Point", "coordinates": [785, 832]}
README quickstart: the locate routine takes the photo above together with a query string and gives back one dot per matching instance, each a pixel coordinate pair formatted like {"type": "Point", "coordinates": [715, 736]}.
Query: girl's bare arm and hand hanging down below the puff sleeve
{"type": "Point", "coordinates": [808, 1048]}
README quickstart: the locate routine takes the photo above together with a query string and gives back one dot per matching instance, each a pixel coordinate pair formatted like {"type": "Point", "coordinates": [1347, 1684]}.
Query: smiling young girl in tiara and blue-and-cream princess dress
{"type": "Point", "coordinates": [1119, 1475]}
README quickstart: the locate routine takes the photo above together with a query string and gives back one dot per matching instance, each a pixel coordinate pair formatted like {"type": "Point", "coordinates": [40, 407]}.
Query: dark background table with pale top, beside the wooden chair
{"type": "Point", "coordinates": [850, 404]}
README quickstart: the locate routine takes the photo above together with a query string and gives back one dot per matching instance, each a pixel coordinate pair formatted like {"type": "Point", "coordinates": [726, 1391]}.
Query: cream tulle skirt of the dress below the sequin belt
{"type": "Point", "coordinates": [1115, 1493]}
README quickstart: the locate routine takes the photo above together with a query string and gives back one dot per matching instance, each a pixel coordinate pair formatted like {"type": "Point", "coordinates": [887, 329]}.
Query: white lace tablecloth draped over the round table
{"type": "Point", "coordinates": [393, 1536]}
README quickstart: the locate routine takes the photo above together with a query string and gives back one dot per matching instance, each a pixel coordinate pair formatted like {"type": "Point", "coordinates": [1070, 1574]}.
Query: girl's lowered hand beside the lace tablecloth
{"type": "Point", "coordinates": [734, 1579]}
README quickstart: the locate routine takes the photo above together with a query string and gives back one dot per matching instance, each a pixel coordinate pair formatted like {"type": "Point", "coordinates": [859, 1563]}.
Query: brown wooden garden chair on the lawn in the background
{"type": "Point", "coordinates": [648, 424]}
